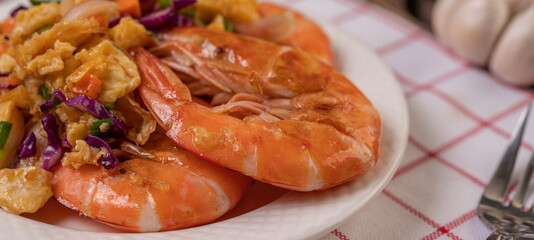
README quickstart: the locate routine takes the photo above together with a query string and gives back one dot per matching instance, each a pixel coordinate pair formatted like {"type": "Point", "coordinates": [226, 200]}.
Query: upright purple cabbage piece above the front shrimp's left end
{"type": "Point", "coordinates": [53, 152]}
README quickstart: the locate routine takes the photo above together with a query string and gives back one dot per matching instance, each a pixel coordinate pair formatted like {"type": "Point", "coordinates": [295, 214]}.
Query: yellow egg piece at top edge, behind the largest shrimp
{"type": "Point", "coordinates": [237, 11]}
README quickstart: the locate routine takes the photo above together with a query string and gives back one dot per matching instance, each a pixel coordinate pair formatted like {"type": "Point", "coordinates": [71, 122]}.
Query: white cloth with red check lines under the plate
{"type": "Point", "coordinates": [461, 118]}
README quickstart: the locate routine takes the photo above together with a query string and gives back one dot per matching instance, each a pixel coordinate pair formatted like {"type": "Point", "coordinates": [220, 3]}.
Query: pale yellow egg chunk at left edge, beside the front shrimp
{"type": "Point", "coordinates": [24, 190]}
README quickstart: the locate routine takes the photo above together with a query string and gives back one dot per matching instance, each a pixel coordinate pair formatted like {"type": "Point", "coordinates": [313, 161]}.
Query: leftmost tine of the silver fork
{"type": "Point", "coordinates": [497, 187]}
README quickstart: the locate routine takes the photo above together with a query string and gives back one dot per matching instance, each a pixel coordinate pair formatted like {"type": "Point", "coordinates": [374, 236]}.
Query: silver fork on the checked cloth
{"type": "Point", "coordinates": [510, 220]}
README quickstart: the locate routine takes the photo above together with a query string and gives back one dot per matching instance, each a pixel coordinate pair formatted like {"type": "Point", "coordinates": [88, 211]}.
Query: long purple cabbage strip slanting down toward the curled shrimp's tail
{"type": "Point", "coordinates": [87, 104]}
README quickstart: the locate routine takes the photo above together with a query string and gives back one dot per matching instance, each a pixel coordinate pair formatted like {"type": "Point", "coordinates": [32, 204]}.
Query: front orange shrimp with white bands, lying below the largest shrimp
{"type": "Point", "coordinates": [168, 188]}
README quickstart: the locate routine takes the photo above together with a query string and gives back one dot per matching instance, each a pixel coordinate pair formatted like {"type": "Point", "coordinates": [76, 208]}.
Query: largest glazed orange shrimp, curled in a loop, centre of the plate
{"type": "Point", "coordinates": [289, 119]}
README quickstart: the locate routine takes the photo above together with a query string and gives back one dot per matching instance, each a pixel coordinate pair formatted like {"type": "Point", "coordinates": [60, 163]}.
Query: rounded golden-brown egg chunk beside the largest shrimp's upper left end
{"type": "Point", "coordinates": [129, 33]}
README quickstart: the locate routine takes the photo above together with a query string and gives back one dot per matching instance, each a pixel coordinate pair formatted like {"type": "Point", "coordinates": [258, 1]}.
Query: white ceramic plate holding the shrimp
{"type": "Point", "coordinates": [265, 212]}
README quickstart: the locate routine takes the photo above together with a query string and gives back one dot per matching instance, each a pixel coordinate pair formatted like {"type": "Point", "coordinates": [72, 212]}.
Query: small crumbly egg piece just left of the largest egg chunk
{"type": "Point", "coordinates": [52, 60]}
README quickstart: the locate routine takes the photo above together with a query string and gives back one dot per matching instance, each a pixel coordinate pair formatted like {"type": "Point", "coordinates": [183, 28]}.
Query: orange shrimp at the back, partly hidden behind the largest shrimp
{"type": "Point", "coordinates": [303, 33]}
